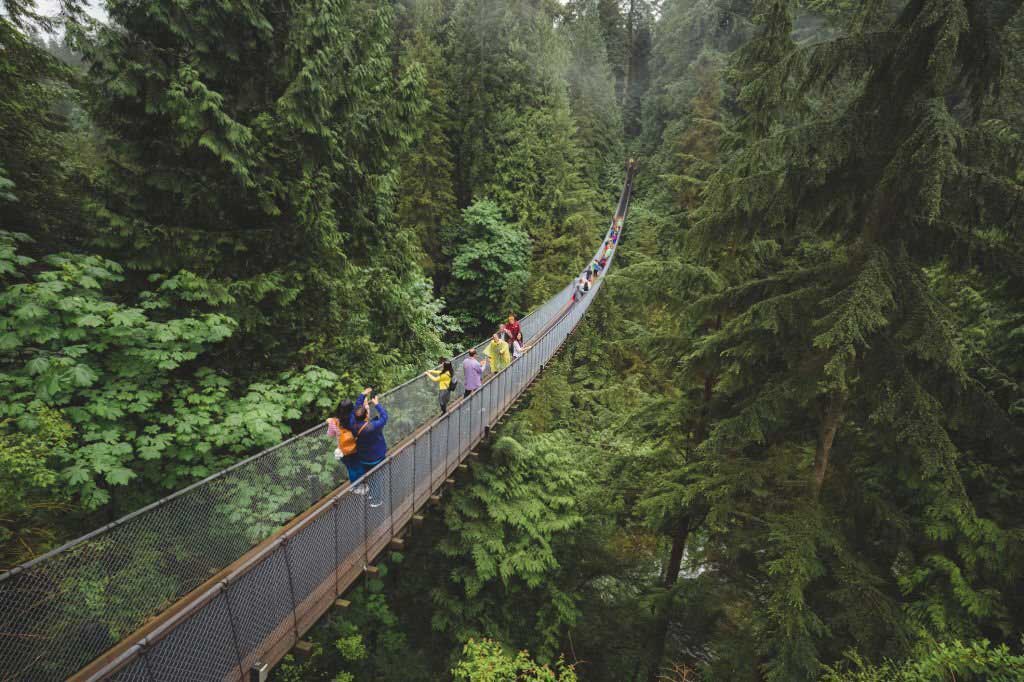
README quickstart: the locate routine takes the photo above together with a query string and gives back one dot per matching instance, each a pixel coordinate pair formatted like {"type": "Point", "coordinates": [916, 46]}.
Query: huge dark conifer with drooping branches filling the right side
{"type": "Point", "coordinates": [868, 162]}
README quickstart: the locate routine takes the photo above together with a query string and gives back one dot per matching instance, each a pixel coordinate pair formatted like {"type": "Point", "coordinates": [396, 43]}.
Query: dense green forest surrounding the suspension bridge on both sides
{"type": "Point", "coordinates": [787, 444]}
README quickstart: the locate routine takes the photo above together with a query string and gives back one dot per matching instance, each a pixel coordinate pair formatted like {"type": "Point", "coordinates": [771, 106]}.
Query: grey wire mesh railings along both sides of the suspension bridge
{"type": "Point", "coordinates": [77, 604]}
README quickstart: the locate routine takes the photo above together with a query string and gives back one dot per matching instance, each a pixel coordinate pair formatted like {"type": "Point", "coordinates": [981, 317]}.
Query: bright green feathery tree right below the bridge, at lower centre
{"type": "Point", "coordinates": [503, 531]}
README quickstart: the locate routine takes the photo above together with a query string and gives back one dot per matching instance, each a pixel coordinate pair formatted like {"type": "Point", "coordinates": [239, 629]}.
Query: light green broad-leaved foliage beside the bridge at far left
{"type": "Point", "coordinates": [130, 378]}
